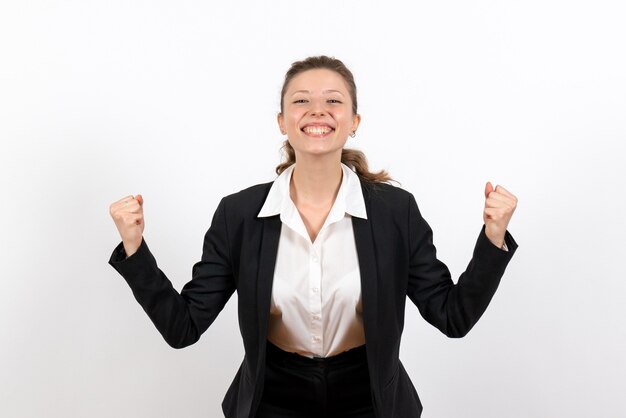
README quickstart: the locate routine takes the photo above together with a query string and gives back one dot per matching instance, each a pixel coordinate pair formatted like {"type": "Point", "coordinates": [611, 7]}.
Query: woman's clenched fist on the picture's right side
{"type": "Point", "coordinates": [499, 207]}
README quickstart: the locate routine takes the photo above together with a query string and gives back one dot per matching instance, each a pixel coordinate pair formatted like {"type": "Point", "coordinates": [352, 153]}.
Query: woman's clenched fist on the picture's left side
{"type": "Point", "coordinates": [127, 213]}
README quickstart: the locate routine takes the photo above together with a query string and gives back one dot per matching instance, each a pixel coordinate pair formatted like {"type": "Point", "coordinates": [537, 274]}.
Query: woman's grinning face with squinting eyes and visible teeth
{"type": "Point", "coordinates": [317, 113]}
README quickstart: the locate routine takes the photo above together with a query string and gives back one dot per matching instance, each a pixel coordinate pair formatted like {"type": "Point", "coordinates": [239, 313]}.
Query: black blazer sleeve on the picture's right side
{"type": "Point", "coordinates": [452, 308]}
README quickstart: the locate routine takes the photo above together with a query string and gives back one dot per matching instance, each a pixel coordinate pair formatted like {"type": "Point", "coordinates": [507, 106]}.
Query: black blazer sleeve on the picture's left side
{"type": "Point", "coordinates": [182, 317]}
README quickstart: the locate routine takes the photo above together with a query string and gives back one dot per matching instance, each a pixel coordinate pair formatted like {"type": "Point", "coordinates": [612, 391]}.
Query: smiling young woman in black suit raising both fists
{"type": "Point", "coordinates": [322, 260]}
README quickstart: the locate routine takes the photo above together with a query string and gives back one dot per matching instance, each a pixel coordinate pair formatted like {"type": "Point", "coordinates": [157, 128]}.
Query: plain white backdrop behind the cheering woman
{"type": "Point", "coordinates": [178, 100]}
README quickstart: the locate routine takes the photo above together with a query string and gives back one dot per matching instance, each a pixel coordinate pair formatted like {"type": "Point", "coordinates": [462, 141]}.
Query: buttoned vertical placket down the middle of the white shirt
{"type": "Point", "coordinates": [315, 300]}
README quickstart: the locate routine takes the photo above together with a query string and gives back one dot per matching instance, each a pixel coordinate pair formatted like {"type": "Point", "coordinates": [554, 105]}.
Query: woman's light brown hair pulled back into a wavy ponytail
{"type": "Point", "coordinates": [353, 158]}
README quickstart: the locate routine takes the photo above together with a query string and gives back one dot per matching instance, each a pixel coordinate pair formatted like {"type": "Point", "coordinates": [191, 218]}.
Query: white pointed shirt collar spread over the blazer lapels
{"type": "Point", "coordinates": [349, 198]}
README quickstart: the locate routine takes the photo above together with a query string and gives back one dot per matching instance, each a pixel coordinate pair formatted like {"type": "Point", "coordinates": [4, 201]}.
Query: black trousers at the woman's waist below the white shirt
{"type": "Point", "coordinates": [301, 387]}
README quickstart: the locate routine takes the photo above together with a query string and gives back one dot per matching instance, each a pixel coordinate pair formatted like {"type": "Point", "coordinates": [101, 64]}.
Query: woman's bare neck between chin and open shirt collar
{"type": "Point", "coordinates": [316, 181]}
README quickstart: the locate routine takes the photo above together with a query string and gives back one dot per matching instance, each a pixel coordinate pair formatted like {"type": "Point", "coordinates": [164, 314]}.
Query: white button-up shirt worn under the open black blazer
{"type": "Point", "coordinates": [316, 308]}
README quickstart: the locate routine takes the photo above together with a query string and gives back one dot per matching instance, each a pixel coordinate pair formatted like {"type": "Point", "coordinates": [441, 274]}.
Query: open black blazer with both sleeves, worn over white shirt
{"type": "Point", "coordinates": [396, 259]}
